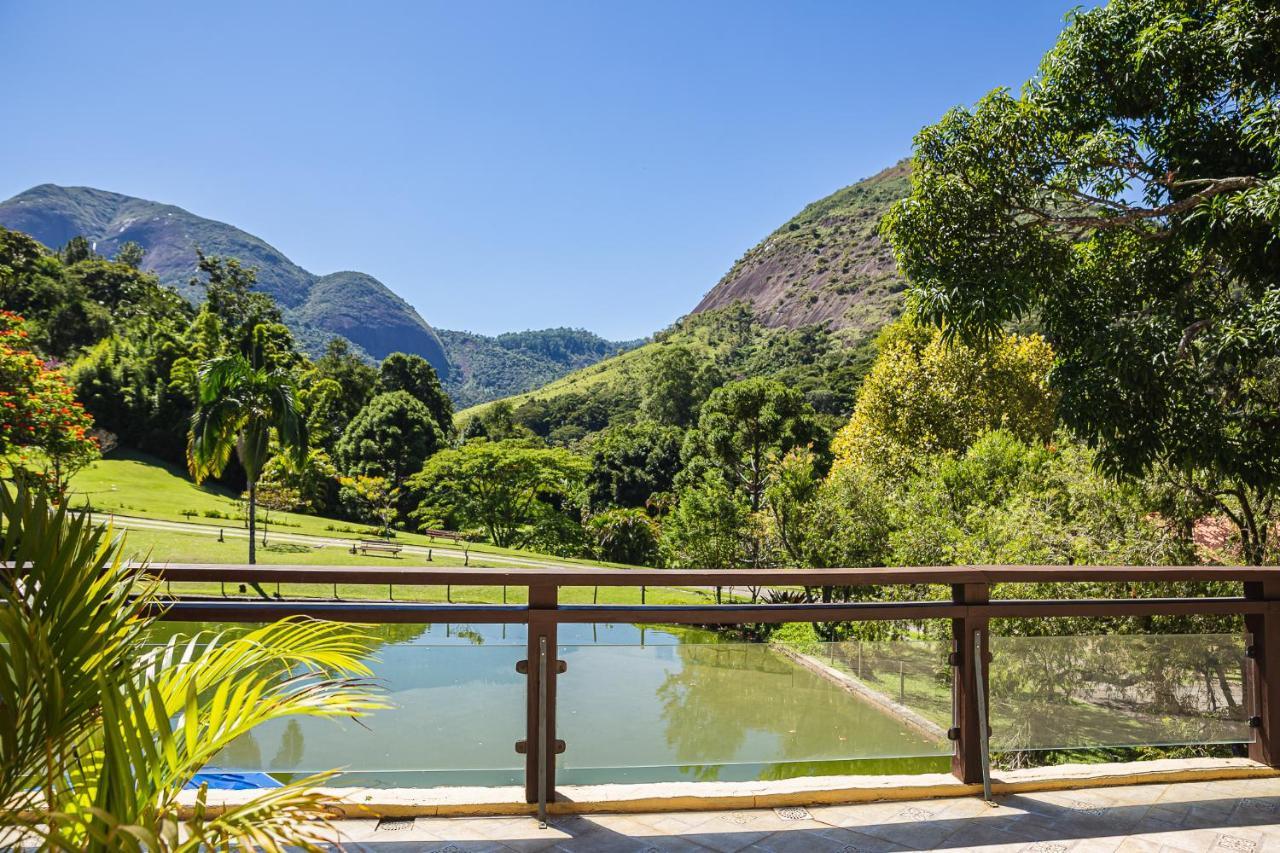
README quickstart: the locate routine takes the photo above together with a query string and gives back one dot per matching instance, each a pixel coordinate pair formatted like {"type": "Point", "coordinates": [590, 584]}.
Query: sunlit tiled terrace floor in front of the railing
{"type": "Point", "coordinates": [1182, 818]}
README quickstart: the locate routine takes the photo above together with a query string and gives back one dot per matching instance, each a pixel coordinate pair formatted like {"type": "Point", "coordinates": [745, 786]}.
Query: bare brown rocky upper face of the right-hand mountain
{"type": "Point", "coordinates": [828, 264]}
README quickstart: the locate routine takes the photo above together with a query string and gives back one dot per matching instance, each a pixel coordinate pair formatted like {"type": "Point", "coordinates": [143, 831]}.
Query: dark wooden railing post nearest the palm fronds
{"type": "Point", "coordinates": [542, 627]}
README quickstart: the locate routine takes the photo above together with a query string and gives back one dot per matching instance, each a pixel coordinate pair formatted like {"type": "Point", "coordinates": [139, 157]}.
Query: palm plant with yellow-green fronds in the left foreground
{"type": "Point", "coordinates": [100, 732]}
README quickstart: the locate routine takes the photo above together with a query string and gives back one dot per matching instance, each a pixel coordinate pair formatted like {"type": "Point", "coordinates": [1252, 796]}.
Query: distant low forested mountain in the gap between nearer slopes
{"type": "Point", "coordinates": [484, 368]}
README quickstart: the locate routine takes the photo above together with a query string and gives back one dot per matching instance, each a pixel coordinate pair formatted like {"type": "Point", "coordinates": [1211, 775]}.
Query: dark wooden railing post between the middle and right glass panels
{"type": "Point", "coordinates": [967, 760]}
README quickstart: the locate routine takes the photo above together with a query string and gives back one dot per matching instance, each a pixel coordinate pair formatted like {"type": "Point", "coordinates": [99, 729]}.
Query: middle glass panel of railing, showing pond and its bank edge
{"type": "Point", "coordinates": [684, 709]}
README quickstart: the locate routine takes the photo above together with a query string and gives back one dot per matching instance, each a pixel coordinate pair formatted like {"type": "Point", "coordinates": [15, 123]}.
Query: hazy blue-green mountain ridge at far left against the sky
{"type": "Point", "coordinates": [353, 305]}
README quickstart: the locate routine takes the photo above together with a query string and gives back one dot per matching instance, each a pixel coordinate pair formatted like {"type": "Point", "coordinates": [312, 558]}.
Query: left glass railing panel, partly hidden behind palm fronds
{"type": "Point", "coordinates": [458, 711]}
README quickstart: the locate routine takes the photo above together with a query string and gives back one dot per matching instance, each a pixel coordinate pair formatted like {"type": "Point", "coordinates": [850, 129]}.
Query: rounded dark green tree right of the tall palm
{"type": "Point", "coordinates": [391, 437]}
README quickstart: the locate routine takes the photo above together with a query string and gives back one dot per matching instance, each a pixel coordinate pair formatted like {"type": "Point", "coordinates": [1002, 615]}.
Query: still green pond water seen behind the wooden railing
{"type": "Point", "coordinates": [636, 705]}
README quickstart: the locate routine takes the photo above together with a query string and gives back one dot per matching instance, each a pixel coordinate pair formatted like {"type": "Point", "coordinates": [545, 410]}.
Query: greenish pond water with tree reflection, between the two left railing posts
{"type": "Point", "coordinates": [730, 711]}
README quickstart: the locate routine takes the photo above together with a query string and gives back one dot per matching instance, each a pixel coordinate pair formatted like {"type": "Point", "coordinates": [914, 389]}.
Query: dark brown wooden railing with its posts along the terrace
{"type": "Point", "coordinates": [971, 608]}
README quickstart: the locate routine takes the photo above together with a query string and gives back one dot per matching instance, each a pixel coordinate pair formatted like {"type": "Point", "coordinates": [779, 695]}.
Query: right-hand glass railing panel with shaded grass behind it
{"type": "Point", "coordinates": [1118, 691]}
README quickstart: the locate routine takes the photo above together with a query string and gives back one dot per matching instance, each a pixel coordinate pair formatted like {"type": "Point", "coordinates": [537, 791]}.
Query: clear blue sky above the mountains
{"type": "Point", "coordinates": [501, 166]}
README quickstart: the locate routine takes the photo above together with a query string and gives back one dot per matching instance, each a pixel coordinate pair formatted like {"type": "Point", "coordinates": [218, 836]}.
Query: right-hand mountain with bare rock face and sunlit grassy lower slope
{"type": "Point", "coordinates": [817, 290]}
